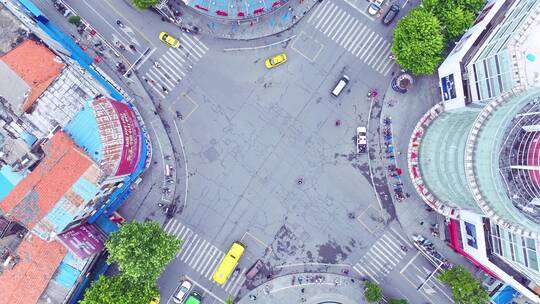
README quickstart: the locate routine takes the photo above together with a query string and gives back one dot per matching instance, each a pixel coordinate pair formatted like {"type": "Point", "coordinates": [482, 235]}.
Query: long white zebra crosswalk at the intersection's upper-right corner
{"type": "Point", "coordinates": [354, 36]}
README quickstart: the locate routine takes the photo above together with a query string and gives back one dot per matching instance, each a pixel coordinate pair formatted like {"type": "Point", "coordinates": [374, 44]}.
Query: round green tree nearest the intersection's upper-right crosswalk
{"type": "Point", "coordinates": [418, 43]}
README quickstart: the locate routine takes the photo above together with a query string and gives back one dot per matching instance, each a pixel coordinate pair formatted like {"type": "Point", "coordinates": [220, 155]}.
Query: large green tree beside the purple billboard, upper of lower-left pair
{"type": "Point", "coordinates": [142, 250]}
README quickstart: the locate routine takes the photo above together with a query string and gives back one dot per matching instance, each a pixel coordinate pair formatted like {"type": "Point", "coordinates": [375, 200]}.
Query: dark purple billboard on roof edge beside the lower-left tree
{"type": "Point", "coordinates": [84, 240]}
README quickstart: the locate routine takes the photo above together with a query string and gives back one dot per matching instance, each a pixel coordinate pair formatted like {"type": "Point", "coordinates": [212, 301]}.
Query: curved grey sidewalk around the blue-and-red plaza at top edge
{"type": "Point", "coordinates": [268, 24]}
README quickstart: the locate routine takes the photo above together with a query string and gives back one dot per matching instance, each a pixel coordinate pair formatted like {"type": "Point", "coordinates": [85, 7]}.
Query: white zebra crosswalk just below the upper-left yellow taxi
{"type": "Point", "coordinates": [173, 65]}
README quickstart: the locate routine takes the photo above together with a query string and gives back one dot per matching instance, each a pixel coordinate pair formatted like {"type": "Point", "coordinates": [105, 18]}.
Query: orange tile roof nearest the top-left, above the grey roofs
{"type": "Point", "coordinates": [36, 65]}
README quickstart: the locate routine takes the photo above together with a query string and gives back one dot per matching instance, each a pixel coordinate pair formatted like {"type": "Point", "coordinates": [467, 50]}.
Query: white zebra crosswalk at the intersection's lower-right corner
{"type": "Point", "coordinates": [383, 256]}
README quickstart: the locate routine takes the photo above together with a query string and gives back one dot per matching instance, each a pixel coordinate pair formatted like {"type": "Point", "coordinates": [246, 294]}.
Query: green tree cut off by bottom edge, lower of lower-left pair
{"type": "Point", "coordinates": [118, 290]}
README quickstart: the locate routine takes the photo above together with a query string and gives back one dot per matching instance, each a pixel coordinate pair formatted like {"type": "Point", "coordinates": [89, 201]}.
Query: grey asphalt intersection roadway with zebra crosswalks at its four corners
{"type": "Point", "coordinates": [241, 137]}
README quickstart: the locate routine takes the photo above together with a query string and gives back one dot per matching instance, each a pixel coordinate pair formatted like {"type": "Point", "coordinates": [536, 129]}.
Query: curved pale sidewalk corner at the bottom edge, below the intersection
{"type": "Point", "coordinates": [330, 288]}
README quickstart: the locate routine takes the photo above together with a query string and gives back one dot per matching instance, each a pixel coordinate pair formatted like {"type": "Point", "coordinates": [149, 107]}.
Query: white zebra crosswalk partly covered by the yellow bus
{"type": "Point", "coordinates": [203, 257]}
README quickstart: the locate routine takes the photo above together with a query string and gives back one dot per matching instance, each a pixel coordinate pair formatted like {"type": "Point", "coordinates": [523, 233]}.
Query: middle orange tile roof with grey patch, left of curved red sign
{"type": "Point", "coordinates": [35, 195]}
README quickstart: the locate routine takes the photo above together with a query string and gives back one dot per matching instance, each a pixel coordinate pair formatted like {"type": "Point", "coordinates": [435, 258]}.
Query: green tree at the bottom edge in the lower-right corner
{"type": "Point", "coordinates": [465, 288]}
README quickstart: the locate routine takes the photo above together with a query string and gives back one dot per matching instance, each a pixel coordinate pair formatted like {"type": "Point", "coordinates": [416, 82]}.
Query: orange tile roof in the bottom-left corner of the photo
{"type": "Point", "coordinates": [29, 277]}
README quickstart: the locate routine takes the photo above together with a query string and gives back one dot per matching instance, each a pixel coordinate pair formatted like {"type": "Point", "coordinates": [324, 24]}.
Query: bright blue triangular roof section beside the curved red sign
{"type": "Point", "coordinates": [83, 129]}
